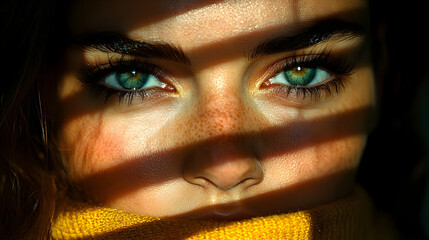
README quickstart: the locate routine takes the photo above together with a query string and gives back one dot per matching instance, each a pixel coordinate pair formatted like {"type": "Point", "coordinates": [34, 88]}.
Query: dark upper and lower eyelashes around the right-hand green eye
{"type": "Point", "coordinates": [338, 67]}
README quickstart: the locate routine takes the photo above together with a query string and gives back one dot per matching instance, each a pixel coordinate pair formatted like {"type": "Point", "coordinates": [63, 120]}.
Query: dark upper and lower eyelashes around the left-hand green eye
{"type": "Point", "coordinates": [91, 74]}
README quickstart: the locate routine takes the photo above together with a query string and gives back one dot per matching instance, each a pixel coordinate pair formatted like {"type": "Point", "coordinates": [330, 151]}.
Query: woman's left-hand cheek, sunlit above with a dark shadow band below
{"type": "Point", "coordinates": [108, 154]}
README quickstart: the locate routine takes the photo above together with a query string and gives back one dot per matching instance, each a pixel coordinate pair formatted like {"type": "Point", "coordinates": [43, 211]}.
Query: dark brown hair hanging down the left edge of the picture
{"type": "Point", "coordinates": [27, 176]}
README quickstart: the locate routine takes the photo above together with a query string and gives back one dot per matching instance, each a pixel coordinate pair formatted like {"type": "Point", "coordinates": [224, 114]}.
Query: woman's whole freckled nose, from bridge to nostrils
{"type": "Point", "coordinates": [226, 156]}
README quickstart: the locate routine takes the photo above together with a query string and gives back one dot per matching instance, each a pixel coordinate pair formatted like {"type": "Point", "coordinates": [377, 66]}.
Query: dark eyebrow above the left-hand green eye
{"type": "Point", "coordinates": [119, 43]}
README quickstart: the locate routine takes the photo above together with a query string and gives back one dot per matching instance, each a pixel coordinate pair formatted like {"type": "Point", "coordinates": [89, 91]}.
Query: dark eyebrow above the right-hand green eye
{"type": "Point", "coordinates": [308, 36]}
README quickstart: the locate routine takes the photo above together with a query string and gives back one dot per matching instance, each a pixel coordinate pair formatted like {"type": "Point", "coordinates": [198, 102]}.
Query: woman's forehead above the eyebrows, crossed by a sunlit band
{"type": "Point", "coordinates": [199, 22]}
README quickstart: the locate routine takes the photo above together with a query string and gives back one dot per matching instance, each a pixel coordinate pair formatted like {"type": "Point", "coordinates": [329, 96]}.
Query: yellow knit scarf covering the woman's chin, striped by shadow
{"type": "Point", "coordinates": [349, 218]}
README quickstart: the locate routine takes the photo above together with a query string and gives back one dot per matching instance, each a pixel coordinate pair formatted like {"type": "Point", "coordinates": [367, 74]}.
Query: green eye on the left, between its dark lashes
{"type": "Point", "coordinates": [132, 80]}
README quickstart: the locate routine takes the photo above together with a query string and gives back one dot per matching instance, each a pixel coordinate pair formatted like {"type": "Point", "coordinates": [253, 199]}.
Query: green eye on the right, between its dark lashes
{"type": "Point", "coordinates": [300, 76]}
